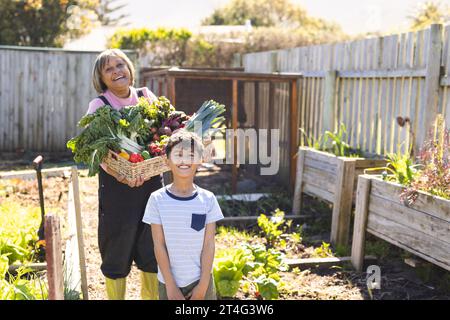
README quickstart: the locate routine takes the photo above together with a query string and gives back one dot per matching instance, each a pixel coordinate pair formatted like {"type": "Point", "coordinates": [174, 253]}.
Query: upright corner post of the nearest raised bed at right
{"type": "Point", "coordinates": [359, 227]}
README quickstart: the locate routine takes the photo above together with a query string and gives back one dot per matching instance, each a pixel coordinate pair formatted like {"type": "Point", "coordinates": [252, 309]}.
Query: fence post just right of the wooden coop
{"type": "Point", "coordinates": [329, 101]}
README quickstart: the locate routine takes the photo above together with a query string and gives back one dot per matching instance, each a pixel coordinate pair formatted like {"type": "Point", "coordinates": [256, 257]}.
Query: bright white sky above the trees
{"type": "Point", "coordinates": [355, 16]}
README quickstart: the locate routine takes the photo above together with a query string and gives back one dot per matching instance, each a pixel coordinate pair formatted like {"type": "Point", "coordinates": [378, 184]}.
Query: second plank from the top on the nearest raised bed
{"type": "Point", "coordinates": [411, 218]}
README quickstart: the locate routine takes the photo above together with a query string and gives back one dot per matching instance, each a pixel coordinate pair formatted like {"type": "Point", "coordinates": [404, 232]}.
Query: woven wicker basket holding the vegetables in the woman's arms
{"type": "Point", "coordinates": [146, 169]}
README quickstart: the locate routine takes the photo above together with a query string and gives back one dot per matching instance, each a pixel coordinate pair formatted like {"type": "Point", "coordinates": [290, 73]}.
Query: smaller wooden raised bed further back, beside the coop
{"type": "Point", "coordinates": [333, 179]}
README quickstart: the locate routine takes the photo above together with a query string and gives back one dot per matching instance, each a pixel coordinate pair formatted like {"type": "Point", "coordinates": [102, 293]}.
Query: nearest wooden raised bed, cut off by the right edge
{"type": "Point", "coordinates": [423, 228]}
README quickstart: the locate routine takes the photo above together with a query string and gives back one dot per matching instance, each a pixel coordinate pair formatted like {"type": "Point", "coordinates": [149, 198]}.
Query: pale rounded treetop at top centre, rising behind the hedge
{"type": "Point", "coordinates": [267, 13]}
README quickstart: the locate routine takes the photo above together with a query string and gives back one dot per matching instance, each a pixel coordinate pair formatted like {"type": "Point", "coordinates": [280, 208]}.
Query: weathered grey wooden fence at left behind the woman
{"type": "Point", "coordinates": [43, 94]}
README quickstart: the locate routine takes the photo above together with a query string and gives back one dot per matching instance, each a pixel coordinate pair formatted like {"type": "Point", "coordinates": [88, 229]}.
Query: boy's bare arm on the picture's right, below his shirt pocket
{"type": "Point", "coordinates": [207, 259]}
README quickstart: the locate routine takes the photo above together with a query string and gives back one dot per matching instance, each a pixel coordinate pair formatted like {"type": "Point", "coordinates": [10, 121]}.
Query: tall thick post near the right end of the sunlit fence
{"type": "Point", "coordinates": [429, 110]}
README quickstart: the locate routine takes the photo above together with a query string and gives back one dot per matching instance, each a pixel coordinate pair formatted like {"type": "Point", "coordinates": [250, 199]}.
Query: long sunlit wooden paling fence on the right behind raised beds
{"type": "Point", "coordinates": [365, 84]}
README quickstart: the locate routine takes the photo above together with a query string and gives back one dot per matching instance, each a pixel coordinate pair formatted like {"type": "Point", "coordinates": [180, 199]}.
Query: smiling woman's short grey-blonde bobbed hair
{"type": "Point", "coordinates": [102, 60]}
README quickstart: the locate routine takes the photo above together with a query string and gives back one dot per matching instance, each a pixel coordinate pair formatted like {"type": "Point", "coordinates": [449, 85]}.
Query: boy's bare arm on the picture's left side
{"type": "Point", "coordinates": [173, 292]}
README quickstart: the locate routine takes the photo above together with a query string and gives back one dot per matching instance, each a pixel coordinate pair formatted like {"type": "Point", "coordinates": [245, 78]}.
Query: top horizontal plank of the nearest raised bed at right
{"type": "Point", "coordinates": [437, 207]}
